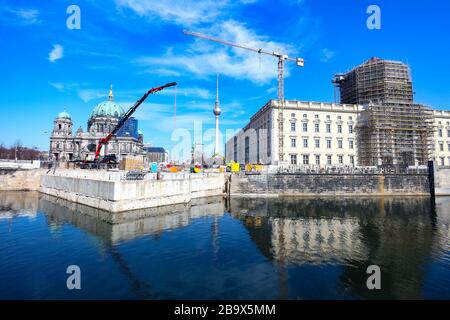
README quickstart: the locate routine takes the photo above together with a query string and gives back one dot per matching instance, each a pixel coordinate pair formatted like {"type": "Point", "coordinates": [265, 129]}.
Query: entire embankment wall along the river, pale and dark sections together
{"type": "Point", "coordinates": [113, 192]}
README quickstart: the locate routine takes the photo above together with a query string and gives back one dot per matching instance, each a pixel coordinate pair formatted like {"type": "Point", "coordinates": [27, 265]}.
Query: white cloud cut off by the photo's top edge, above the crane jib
{"type": "Point", "coordinates": [182, 12]}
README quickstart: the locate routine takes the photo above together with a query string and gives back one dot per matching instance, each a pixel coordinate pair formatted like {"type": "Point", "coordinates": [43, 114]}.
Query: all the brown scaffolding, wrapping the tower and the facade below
{"type": "Point", "coordinates": [392, 130]}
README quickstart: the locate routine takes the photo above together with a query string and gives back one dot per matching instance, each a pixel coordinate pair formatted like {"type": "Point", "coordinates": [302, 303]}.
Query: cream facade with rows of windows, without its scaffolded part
{"type": "Point", "coordinates": [316, 133]}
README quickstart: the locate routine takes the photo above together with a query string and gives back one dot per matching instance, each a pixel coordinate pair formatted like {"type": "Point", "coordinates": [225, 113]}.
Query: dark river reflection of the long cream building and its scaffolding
{"type": "Point", "coordinates": [398, 234]}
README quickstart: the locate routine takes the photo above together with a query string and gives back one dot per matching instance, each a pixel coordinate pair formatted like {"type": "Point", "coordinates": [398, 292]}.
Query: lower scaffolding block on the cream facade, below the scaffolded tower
{"type": "Point", "coordinates": [395, 135]}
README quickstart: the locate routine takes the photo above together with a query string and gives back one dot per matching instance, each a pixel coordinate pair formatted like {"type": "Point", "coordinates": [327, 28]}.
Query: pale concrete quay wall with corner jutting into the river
{"type": "Point", "coordinates": [121, 195]}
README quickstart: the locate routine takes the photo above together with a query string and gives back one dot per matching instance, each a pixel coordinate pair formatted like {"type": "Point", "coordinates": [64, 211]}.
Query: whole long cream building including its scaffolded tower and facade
{"type": "Point", "coordinates": [376, 123]}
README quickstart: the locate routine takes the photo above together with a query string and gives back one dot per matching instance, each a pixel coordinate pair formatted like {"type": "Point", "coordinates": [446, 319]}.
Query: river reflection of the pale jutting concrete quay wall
{"type": "Point", "coordinates": [131, 224]}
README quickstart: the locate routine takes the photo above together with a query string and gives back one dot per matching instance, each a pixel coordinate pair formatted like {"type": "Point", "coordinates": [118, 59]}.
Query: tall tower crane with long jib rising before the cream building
{"type": "Point", "coordinates": [281, 59]}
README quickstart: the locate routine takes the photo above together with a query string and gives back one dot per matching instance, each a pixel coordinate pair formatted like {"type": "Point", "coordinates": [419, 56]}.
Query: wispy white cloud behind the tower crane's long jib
{"type": "Point", "coordinates": [203, 57]}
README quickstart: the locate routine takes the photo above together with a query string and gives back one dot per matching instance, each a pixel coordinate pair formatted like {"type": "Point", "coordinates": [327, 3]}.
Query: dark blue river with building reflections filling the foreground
{"type": "Point", "coordinates": [217, 249]}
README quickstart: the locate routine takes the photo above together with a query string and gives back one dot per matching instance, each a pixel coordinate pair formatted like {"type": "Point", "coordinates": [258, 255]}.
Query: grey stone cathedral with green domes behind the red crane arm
{"type": "Point", "coordinates": [66, 146]}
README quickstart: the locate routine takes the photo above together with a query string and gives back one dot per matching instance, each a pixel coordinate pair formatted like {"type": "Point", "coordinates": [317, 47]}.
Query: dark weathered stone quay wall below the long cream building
{"type": "Point", "coordinates": [286, 184]}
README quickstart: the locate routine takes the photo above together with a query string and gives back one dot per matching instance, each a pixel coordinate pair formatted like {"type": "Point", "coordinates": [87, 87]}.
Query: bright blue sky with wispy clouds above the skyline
{"type": "Point", "coordinates": [135, 45]}
